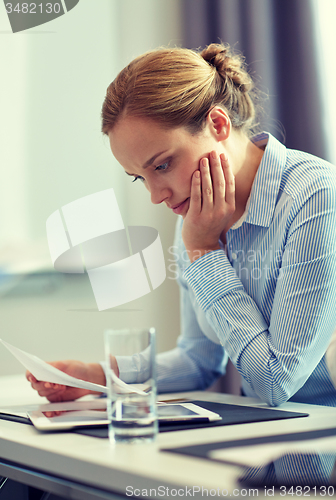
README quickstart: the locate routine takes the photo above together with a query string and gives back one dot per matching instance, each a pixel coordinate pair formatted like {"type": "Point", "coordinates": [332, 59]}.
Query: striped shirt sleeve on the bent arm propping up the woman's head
{"type": "Point", "coordinates": [276, 359]}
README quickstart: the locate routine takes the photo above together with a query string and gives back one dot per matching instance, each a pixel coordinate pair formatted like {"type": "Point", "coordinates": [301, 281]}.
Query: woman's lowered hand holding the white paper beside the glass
{"type": "Point", "coordinates": [90, 372]}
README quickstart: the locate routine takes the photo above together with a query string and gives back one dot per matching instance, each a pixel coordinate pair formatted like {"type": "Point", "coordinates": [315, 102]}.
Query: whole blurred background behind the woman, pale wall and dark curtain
{"type": "Point", "coordinates": [53, 81]}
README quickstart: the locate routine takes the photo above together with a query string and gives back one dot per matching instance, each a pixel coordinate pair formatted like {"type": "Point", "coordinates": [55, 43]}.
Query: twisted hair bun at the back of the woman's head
{"type": "Point", "coordinates": [229, 66]}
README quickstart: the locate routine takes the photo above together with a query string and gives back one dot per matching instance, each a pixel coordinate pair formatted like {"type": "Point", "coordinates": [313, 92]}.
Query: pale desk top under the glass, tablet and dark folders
{"type": "Point", "coordinates": [83, 468]}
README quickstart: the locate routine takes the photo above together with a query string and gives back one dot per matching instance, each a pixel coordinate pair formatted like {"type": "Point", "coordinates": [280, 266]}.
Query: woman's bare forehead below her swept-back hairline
{"type": "Point", "coordinates": [135, 140]}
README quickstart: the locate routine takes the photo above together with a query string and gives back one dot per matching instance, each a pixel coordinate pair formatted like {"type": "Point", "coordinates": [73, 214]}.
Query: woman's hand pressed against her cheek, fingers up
{"type": "Point", "coordinates": [212, 204]}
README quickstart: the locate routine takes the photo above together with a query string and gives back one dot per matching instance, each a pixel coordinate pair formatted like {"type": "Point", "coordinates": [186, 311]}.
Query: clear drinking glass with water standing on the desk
{"type": "Point", "coordinates": [131, 384]}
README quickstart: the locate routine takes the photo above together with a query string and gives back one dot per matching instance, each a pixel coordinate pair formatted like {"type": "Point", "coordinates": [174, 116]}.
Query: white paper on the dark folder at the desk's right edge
{"type": "Point", "coordinates": [259, 455]}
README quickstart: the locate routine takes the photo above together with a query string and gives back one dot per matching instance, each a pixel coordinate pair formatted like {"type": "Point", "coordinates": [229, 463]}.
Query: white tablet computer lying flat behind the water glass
{"type": "Point", "coordinates": [94, 414]}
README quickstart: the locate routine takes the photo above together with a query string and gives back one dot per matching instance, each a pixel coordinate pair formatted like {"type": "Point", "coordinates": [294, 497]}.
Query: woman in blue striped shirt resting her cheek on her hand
{"type": "Point", "coordinates": [258, 223]}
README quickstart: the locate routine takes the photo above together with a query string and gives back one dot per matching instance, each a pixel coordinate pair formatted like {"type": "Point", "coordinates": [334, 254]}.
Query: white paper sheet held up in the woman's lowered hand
{"type": "Point", "coordinates": [48, 373]}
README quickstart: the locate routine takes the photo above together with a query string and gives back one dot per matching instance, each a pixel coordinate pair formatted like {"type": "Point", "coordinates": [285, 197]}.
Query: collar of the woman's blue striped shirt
{"type": "Point", "coordinates": [265, 188]}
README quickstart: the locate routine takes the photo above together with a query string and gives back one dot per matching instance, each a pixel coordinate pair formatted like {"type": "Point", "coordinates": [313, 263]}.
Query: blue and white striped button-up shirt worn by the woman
{"type": "Point", "coordinates": [268, 301]}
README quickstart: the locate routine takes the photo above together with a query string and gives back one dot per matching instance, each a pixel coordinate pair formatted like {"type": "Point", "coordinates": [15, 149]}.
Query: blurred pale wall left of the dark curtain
{"type": "Point", "coordinates": [53, 81]}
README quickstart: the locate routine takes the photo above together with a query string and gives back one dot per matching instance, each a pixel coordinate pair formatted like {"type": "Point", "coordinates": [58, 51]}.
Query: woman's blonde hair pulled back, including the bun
{"type": "Point", "coordinates": [178, 87]}
